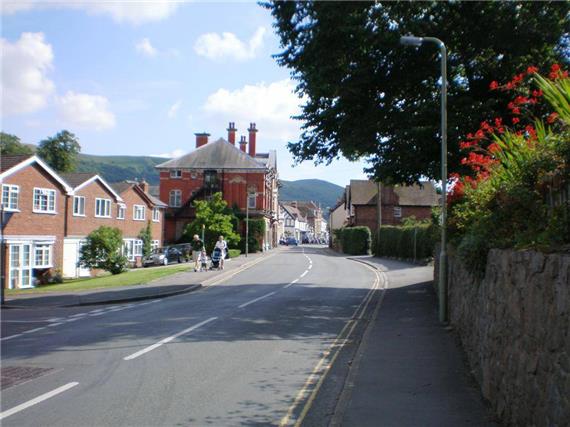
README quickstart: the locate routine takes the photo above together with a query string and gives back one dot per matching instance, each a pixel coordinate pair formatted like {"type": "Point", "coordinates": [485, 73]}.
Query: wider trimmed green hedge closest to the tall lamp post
{"type": "Point", "coordinates": [398, 241]}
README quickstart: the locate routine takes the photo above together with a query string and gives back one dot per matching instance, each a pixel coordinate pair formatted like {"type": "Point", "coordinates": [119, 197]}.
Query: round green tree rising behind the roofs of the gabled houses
{"type": "Point", "coordinates": [60, 151]}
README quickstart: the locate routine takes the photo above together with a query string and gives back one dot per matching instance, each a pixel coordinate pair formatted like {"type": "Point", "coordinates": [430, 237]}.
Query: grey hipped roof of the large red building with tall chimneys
{"type": "Point", "coordinates": [219, 154]}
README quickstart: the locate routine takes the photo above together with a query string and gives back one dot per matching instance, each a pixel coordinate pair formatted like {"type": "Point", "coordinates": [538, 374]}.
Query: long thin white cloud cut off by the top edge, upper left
{"type": "Point", "coordinates": [134, 12]}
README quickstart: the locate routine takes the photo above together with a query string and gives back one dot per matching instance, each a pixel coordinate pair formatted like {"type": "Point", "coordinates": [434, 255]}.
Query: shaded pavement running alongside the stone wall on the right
{"type": "Point", "coordinates": [409, 370]}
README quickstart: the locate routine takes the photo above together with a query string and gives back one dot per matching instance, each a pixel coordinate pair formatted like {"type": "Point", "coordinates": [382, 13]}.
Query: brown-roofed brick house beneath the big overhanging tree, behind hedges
{"type": "Point", "coordinates": [398, 203]}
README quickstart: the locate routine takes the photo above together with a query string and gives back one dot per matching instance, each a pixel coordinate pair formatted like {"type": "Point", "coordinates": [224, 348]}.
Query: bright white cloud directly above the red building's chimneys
{"type": "Point", "coordinates": [269, 105]}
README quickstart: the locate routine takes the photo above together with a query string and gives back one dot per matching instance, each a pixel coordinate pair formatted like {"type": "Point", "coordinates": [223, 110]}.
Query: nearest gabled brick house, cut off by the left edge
{"type": "Point", "coordinates": [33, 204]}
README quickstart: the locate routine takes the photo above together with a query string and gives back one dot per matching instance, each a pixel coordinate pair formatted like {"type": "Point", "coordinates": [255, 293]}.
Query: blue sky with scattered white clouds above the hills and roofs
{"type": "Point", "coordinates": [140, 78]}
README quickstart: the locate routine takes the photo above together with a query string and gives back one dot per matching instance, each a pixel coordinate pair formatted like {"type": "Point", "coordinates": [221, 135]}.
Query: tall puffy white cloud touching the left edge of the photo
{"type": "Point", "coordinates": [25, 64]}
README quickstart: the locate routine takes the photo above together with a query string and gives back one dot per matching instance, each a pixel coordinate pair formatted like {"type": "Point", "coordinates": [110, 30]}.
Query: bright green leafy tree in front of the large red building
{"type": "Point", "coordinates": [218, 220]}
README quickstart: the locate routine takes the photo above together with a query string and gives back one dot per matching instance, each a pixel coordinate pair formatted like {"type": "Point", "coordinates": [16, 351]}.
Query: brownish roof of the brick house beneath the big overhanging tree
{"type": "Point", "coordinates": [364, 193]}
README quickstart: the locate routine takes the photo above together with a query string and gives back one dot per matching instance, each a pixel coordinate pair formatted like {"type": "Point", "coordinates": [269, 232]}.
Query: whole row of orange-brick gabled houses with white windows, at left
{"type": "Point", "coordinates": [48, 215]}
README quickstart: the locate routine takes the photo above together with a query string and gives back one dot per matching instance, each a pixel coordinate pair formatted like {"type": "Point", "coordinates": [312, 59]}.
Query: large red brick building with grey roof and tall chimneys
{"type": "Point", "coordinates": [247, 180]}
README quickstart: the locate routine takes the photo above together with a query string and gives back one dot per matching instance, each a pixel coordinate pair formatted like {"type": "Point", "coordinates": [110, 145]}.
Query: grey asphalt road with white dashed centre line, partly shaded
{"type": "Point", "coordinates": [247, 351]}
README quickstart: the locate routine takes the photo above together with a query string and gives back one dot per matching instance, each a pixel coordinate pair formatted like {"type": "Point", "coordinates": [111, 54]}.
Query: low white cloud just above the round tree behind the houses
{"type": "Point", "coordinates": [85, 111]}
